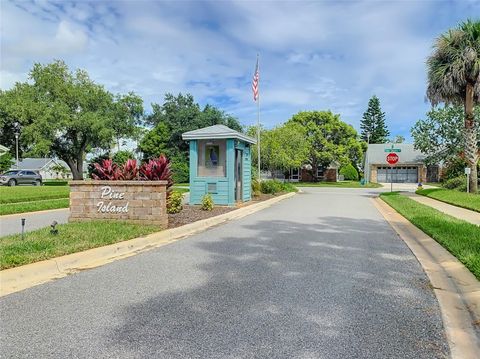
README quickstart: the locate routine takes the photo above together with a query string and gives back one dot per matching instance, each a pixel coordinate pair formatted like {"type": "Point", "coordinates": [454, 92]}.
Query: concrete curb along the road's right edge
{"type": "Point", "coordinates": [456, 288]}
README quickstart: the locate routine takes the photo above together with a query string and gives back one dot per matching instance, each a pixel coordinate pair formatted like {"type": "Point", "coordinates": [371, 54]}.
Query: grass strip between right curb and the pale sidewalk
{"type": "Point", "coordinates": [460, 238]}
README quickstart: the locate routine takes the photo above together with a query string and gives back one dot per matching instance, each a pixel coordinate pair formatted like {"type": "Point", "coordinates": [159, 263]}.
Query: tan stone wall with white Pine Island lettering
{"type": "Point", "coordinates": [130, 201]}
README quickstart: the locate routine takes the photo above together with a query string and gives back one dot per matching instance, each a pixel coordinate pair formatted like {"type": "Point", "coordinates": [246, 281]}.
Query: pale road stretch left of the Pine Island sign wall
{"type": "Point", "coordinates": [11, 224]}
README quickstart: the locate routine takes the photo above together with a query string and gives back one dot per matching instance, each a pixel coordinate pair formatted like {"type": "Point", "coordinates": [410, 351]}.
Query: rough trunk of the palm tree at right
{"type": "Point", "coordinates": [471, 150]}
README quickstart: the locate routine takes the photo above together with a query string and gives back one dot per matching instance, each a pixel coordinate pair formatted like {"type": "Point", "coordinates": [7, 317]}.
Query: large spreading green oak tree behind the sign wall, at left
{"type": "Point", "coordinates": [66, 114]}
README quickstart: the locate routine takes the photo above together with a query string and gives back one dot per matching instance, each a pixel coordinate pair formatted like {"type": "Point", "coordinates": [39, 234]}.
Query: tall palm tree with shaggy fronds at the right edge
{"type": "Point", "coordinates": [454, 78]}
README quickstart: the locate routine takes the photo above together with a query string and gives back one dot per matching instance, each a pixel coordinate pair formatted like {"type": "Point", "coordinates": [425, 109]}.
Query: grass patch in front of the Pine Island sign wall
{"type": "Point", "coordinates": [72, 237]}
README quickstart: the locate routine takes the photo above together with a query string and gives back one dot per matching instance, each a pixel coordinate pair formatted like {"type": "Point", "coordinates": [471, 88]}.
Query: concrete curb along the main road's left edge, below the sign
{"type": "Point", "coordinates": [23, 277]}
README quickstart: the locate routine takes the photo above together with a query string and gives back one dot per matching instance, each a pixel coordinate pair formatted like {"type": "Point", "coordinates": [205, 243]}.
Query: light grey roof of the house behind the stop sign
{"type": "Point", "coordinates": [409, 155]}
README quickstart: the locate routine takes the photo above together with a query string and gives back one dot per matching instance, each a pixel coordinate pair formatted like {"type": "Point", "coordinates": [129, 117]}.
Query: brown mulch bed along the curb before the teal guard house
{"type": "Point", "coordinates": [191, 214]}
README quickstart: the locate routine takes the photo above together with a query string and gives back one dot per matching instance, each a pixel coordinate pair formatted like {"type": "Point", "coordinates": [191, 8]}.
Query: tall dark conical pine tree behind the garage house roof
{"type": "Point", "coordinates": [374, 129]}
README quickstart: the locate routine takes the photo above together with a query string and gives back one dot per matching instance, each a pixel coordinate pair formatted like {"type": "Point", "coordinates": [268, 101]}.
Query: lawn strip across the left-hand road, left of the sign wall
{"type": "Point", "coordinates": [32, 193]}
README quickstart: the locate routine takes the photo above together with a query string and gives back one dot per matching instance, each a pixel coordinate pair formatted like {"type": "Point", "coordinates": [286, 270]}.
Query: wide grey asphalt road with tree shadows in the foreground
{"type": "Point", "coordinates": [320, 275]}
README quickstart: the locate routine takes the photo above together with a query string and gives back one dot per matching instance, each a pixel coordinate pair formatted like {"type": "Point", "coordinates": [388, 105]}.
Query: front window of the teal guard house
{"type": "Point", "coordinates": [211, 158]}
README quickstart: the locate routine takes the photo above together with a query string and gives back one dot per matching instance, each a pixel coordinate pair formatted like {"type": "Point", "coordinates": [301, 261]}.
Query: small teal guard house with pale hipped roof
{"type": "Point", "coordinates": [220, 164]}
